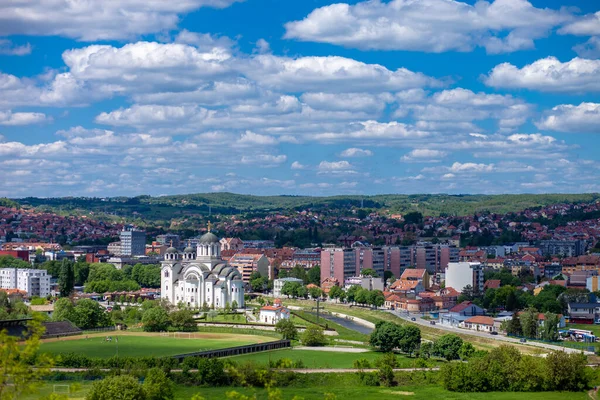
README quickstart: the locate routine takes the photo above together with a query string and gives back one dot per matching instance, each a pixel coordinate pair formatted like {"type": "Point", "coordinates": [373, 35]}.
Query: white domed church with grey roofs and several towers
{"type": "Point", "coordinates": [200, 276]}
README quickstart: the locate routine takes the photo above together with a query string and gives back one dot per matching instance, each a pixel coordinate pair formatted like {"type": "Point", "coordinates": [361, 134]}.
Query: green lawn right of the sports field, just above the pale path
{"type": "Point", "coordinates": [322, 359]}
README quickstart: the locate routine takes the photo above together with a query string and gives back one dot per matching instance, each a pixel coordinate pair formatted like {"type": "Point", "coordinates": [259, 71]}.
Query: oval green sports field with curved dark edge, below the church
{"type": "Point", "coordinates": [130, 344]}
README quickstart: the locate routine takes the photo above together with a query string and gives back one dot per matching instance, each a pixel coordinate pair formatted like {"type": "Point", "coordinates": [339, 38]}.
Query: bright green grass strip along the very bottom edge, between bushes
{"type": "Point", "coordinates": [426, 392]}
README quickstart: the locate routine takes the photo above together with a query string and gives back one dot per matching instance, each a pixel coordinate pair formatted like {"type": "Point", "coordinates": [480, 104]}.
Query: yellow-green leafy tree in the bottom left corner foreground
{"type": "Point", "coordinates": [18, 376]}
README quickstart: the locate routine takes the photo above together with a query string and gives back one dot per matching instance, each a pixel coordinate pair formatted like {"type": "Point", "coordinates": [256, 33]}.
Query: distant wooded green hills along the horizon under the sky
{"type": "Point", "coordinates": [178, 206]}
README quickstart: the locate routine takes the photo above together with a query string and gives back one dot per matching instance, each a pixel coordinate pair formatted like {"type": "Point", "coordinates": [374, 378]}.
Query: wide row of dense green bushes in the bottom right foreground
{"type": "Point", "coordinates": [505, 369]}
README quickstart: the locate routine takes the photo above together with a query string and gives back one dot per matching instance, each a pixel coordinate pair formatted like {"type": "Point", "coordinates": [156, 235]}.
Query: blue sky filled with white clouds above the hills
{"type": "Point", "coordinates": [129, 97]}
